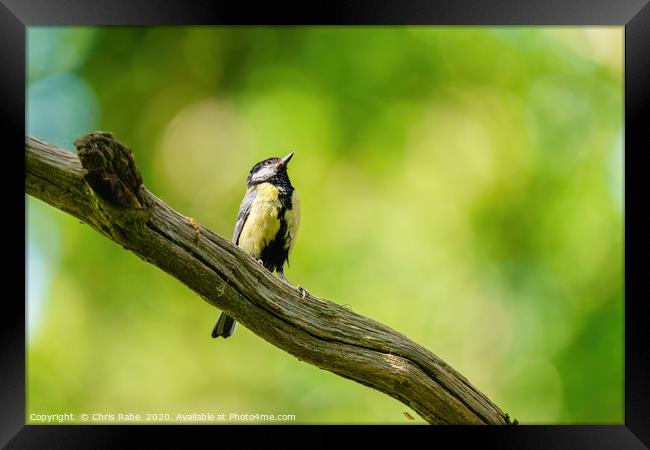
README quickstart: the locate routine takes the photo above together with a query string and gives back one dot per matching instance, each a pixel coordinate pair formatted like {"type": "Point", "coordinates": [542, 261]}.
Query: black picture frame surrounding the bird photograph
{"type": "Point", "coordinates": [634, 15]}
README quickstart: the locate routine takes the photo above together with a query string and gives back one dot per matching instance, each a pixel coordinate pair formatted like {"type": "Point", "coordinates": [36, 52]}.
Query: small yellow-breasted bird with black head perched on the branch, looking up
{"type": "Point", "coordinates": [267, 224]}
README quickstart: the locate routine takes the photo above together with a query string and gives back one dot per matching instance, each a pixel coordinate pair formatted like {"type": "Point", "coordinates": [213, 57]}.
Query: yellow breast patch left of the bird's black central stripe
{"type": "Point", "coordinates": [262, 223]}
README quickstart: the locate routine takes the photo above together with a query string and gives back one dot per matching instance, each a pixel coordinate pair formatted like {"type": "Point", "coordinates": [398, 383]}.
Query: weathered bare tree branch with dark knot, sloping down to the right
{"type": "Point", "coordinates": [102, 187]}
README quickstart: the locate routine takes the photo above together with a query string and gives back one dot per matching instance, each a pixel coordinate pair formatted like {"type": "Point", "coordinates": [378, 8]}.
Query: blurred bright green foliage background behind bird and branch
{"type": "Point", "coordinates": [460, 184]}
